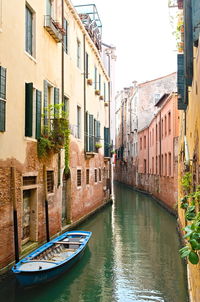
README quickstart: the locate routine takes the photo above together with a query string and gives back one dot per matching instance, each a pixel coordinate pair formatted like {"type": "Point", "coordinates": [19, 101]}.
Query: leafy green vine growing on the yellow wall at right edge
{"type": "Point", "coordinates": [190, 204]}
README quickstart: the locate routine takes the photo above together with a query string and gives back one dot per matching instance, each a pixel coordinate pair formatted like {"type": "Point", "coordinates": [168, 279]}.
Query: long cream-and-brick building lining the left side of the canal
{"type": "Point", "coordinates": [49, 57]}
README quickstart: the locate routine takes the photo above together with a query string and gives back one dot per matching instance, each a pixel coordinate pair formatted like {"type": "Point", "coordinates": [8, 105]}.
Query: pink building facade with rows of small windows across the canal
{"type": "Point", "coordinates": [158, 154]}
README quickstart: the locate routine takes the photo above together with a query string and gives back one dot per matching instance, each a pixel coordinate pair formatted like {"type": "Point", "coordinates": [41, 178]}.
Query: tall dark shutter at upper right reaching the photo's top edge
{"type": "Point", "coordinates": [188, 43]}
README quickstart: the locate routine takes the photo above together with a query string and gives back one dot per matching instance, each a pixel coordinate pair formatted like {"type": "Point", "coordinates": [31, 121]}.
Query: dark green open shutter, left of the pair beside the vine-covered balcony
{"type": "Point", "coordinates": [29, 109]}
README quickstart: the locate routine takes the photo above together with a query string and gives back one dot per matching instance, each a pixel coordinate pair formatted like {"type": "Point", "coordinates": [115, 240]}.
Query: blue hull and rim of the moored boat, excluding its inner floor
{"type": "Point", "coordinates": [31, 272]}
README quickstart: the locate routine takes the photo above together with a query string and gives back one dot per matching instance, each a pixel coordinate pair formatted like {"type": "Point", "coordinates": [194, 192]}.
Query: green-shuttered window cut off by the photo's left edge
{"type": "Point", "coordinates": [2, 98]}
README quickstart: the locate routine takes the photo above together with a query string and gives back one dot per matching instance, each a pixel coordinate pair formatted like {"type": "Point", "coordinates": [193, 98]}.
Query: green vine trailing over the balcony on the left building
{"type": "Point", "coordinates": [55, 134]}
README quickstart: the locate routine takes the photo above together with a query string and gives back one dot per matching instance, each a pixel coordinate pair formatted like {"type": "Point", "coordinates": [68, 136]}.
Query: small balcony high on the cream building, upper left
{"type": "Point", "coordinates": [53, 28]}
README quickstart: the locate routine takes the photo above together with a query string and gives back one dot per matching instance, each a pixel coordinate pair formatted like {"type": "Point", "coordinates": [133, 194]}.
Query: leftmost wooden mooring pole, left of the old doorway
{"type": "Point", "coordinates": [14, 205]}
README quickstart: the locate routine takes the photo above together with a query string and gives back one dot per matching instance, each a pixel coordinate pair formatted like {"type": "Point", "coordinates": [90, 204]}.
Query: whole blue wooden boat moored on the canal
{"type": "Point", "coordinates": [52, 259]}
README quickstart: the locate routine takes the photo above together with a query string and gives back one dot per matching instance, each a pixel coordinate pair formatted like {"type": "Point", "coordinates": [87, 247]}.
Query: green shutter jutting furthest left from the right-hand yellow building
{"type": "Point", "coordinates": [181, 82]}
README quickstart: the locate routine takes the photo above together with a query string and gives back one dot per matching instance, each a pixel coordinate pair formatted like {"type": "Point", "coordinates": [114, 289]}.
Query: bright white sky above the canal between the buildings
{"type": "Point", "coordinates": [141, 32]}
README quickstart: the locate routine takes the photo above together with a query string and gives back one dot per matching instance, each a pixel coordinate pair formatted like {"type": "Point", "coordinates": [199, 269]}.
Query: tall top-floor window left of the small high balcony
{"type": "Point", "coordinates": [29, 31]}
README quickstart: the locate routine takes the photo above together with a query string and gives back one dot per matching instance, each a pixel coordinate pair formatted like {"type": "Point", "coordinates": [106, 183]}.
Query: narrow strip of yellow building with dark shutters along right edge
{"type": "Point", "coordinates": [189, 146]}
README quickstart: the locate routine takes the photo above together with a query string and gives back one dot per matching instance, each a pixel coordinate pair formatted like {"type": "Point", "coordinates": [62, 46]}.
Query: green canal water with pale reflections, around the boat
{"type": "Point", "coordinates": [132, 256]}
